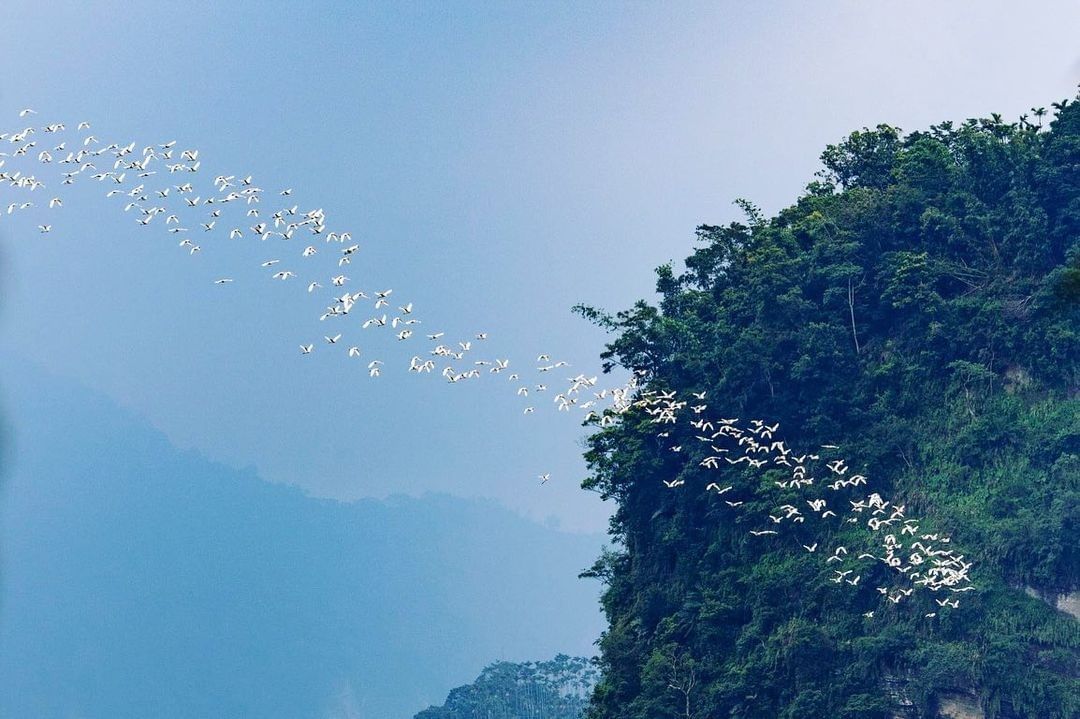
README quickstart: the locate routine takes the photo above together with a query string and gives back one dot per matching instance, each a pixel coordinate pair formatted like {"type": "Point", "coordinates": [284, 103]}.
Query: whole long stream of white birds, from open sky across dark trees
{"type": "Point", "coordinates": [752, 452]}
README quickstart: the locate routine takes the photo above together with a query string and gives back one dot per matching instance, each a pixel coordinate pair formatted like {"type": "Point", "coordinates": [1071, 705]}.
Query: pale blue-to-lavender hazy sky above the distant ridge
{"type": "Point", "coordinates": [498, 162]}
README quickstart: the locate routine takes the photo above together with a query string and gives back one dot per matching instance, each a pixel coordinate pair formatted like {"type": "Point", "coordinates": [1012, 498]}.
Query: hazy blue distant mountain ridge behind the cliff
{"type": "Point", "coordinates": [141, 581]}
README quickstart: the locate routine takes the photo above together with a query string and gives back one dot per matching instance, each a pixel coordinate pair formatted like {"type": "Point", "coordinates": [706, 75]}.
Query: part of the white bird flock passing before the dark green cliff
{"type": "Point", "coordinates": [813, 489]}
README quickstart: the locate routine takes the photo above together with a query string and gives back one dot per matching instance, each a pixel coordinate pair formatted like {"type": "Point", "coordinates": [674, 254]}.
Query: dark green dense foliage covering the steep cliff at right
{"type": "Point", "coordinates": [919, 306]}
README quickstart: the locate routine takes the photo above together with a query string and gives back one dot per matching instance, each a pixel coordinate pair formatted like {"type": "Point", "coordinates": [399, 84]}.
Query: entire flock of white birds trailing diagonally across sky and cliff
{"type": "Point", "coordinates": [159, 187]}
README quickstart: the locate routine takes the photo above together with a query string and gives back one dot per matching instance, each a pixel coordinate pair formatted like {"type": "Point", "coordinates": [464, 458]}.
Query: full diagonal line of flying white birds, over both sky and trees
{"type": "Point", "coordinates": [748, 450]}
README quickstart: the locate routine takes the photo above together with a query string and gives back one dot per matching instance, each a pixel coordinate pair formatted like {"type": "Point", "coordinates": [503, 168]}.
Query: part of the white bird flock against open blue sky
{"type": "Point", "coordinates": [235, 209]}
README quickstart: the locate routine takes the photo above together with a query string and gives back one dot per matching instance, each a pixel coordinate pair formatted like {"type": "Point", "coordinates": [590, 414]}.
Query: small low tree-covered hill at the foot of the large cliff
{"type": "Point", "coordinates": [557, 689]}
